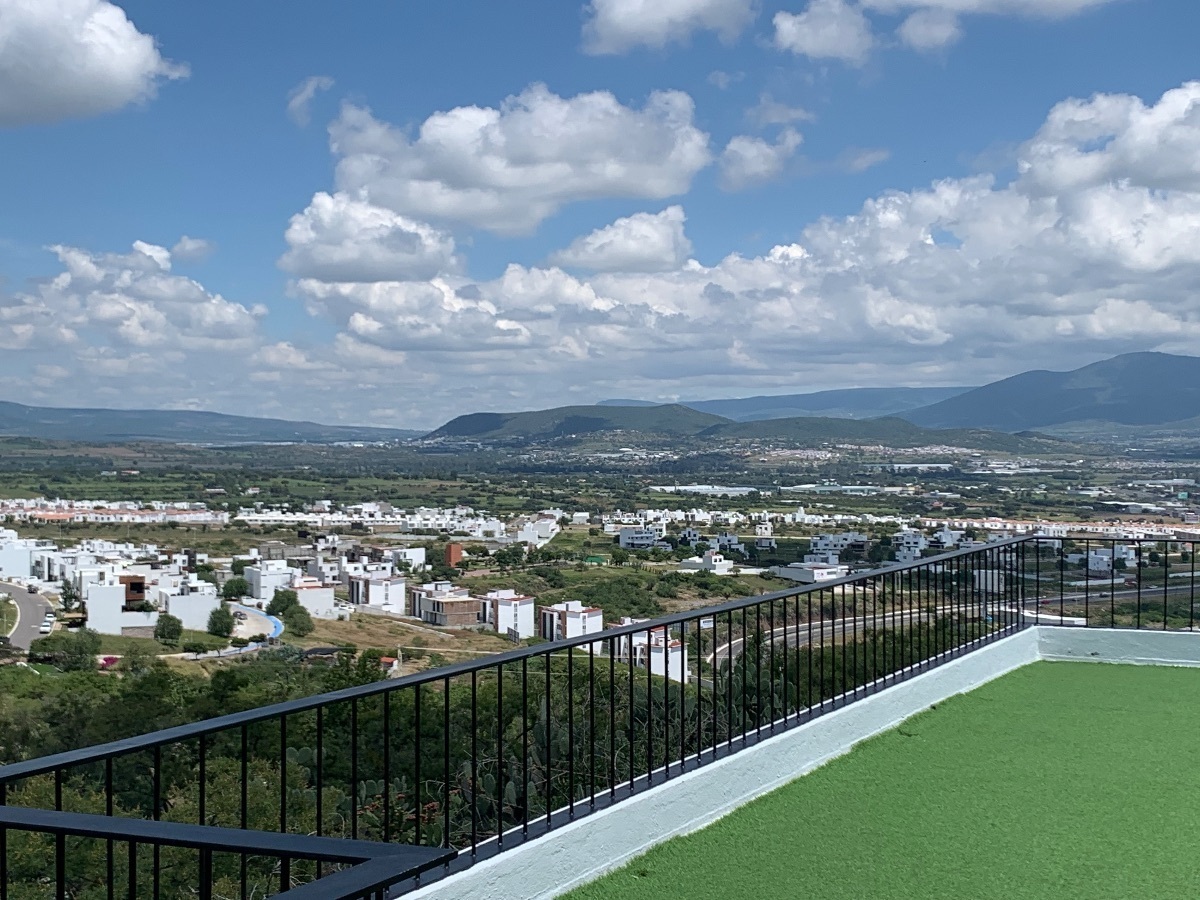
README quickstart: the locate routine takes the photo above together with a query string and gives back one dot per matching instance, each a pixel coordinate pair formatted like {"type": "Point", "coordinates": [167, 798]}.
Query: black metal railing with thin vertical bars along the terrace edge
{"type": "Point", "coordinates": [473, 759]}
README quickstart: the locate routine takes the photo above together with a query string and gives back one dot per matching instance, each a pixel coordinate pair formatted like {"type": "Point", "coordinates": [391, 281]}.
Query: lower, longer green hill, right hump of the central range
{"type": "Point", "coordinates": [814, 431]}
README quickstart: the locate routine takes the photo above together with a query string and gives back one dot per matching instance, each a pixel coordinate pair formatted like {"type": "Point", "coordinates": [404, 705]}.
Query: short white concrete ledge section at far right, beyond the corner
{"type": "Point", "coordinates": [1141, 649]}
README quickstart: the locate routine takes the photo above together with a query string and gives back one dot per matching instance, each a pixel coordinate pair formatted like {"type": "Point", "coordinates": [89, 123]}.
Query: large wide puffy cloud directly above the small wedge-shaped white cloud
{"type": "Point", "coordinates": [508, 170]}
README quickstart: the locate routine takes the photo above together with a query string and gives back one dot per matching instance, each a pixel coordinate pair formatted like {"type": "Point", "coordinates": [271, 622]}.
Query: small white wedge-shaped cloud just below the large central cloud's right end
{"type": "Point", "coordinates": [643, 243]}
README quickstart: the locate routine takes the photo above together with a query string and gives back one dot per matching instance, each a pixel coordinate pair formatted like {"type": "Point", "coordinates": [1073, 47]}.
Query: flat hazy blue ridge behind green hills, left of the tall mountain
{"type": "Point", "coordinates": [849, 404]}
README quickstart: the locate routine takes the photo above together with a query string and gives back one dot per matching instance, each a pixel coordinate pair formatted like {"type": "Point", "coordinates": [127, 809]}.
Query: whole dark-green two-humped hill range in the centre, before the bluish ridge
{"type": "Point", "coordinates": [680, 422]}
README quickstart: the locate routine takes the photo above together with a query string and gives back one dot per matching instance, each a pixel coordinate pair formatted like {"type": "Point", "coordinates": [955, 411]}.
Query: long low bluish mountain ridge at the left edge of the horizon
{"type": "Point", "coordinates": [175, 425]}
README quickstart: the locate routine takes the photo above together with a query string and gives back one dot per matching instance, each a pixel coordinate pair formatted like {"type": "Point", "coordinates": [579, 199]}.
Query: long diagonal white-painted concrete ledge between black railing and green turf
{"type": "Point", "coordinates": [602, 842]}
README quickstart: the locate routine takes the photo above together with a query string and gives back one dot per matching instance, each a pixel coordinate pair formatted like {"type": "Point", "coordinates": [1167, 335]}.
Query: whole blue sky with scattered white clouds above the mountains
{"type": "Point", "coordinates": [397, 213]}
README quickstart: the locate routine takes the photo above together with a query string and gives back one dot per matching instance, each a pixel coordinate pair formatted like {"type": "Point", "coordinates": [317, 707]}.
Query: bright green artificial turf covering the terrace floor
{"type": "Point", "coordinates": [1059, 781]}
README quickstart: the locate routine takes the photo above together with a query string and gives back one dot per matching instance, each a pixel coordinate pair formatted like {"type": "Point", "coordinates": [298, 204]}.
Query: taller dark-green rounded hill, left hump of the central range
{"type": "Point", "coordinates": [563, 422]}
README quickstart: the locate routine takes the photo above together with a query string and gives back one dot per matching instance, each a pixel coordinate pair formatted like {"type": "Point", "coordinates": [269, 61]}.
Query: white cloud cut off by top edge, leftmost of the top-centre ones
{"type": "Point", "coordinates": [620, 26]}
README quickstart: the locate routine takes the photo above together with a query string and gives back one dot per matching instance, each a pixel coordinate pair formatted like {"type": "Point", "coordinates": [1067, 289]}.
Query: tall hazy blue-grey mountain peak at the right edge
{"type": "Point", "coordinates": [1139, 389]}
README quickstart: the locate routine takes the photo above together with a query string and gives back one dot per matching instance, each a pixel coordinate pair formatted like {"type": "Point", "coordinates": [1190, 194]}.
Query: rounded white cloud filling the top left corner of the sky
{"type": "Point", "coordinates": [62, 59]}
